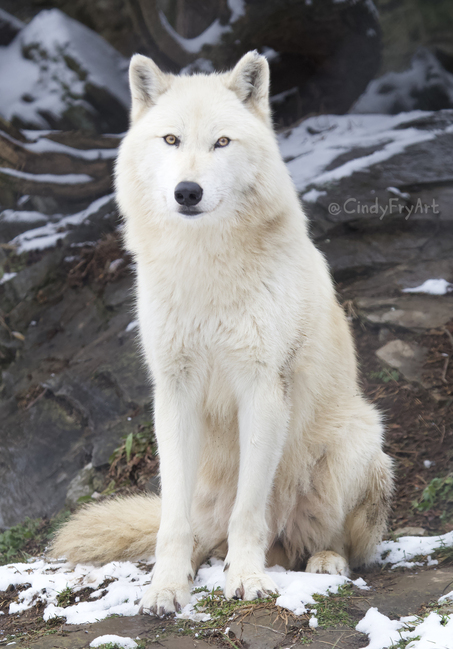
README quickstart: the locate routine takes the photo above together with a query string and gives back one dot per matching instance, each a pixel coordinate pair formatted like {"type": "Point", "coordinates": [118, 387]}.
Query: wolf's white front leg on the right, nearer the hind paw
{"type": "Point", "coordinates": [263, 421]}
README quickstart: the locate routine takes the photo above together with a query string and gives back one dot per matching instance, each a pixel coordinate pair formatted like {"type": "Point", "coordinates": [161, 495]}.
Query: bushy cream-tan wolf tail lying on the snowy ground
{"type": "Point", "coordinates": [120, 529]}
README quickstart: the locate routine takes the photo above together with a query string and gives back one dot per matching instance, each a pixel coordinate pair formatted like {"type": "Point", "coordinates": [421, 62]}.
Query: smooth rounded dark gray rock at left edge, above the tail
{"type": "Point", "coordinates": [43, 447]}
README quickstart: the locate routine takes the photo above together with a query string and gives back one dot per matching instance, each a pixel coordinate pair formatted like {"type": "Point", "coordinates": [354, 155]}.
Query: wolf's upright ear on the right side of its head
{"type": "Point", "coordinates": [250, 81]}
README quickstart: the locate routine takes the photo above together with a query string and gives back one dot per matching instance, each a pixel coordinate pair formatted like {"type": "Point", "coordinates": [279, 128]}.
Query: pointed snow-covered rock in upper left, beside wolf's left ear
{"type": "Point", "coordinates": [55, 71]}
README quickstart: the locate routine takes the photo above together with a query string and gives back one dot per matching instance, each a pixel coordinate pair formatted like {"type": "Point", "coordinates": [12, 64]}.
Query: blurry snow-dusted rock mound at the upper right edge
{"type": "Point", "coordinates": [426, 85]}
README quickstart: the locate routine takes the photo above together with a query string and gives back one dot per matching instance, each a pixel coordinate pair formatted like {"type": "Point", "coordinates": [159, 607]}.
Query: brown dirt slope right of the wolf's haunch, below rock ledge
{"type": "Point", "coordinates": [418, 427]}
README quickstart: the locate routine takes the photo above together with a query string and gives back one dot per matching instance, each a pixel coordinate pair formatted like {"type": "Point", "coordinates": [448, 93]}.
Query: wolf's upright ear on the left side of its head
{"type": "Point", "coordinates": [147, 82]}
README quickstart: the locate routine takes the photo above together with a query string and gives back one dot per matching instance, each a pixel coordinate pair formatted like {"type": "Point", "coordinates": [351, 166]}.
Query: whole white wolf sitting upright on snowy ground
{"type": "Point", "coordinates": [268, 451]}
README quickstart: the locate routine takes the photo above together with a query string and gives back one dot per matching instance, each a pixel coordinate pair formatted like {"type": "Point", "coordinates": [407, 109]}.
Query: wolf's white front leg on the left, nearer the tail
{"type": "Point", "coordinates": [178, 425]}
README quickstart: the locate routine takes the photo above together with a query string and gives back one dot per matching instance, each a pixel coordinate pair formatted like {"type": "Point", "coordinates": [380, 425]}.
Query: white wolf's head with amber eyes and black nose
{"type": "Point", "coordinates": [200, 147]}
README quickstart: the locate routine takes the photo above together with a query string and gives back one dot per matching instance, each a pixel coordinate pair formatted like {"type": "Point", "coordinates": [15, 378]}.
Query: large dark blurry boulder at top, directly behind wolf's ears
{"type": "Point", "coordinates": [322, 54]}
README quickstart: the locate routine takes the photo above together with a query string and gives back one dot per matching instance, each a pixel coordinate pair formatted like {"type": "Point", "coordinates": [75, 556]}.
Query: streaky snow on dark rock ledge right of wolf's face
{"type": "Point", "coordinates": [312, 146]}
